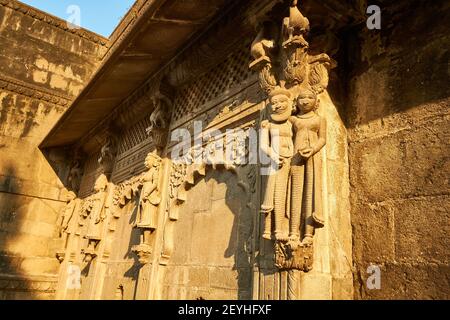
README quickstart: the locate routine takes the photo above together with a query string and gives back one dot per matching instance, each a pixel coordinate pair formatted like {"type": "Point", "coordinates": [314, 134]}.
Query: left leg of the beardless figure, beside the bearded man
{"type": "Point", "coordinates": [296, 201]}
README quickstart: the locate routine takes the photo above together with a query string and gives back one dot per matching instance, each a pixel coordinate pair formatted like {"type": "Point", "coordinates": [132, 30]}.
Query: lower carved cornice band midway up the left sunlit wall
{"type": "Point", "coordinates": [32, 91]}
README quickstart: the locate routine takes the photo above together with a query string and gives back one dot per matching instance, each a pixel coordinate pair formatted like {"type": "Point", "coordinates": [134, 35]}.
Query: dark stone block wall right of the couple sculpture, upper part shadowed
{"type": "Point", "coordinates": [398, 120]}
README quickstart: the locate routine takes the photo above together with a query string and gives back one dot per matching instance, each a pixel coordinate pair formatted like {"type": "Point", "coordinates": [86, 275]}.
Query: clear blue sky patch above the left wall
{"type": "Point", "coordinates": [100, 16]}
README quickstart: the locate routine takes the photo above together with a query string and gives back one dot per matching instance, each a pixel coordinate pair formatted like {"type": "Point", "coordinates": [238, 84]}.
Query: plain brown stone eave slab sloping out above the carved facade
{"type": "Point", "coordinates": [149, 36]}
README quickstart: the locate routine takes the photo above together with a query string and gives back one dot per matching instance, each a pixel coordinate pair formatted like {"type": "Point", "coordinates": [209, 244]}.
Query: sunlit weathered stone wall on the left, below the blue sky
{"type": "Point", "coordinates": [43, 67]}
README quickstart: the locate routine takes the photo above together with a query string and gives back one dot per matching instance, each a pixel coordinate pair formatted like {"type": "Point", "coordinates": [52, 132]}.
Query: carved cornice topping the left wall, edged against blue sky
{"type": "Point", "coordinates": [53, 21]}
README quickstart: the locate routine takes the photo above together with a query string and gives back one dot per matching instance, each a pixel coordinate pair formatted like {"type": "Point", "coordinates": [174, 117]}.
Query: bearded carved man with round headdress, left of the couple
{"type": "Point", "coordinates": [277, 144]}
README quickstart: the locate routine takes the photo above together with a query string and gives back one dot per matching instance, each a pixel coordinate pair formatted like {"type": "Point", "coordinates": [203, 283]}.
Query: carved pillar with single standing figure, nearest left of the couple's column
{"type": "Point", "coordinates": [153, 195]}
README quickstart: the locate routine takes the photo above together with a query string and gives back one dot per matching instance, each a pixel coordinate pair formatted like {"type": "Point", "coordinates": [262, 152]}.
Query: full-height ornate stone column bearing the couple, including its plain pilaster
{"type": "Point", "coordinates": [297, 144]}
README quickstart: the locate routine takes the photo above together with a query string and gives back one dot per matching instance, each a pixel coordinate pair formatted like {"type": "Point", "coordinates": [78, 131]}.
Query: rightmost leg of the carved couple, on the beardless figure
{"type": "Point", "coordinates": [309, 185]}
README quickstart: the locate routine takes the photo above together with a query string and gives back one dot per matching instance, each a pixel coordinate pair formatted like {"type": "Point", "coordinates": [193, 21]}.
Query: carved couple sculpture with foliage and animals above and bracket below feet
{"type": "Point", "coordinates": [292, 137]}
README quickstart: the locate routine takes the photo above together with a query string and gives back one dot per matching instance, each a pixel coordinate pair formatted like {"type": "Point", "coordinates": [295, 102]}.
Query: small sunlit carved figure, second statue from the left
{"type": "Point", "coordinates": [97, 208]}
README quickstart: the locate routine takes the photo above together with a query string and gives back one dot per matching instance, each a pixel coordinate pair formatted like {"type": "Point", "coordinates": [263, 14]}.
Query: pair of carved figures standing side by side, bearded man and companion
{"type": "Point", "coordinates": [293, 140]}
